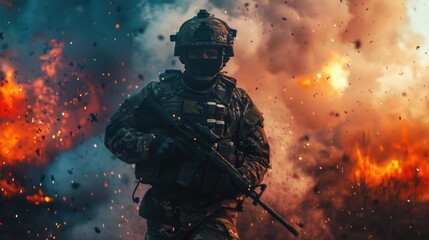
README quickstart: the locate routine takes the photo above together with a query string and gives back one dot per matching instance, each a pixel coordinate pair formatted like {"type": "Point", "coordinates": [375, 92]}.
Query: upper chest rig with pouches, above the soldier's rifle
{"type": "Point", "coordinates": [210, 109]}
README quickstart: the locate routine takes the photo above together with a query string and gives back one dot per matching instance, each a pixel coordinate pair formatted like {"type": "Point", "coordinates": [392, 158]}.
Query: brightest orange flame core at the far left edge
{"type": "Point", "coordinates": [24, 129]}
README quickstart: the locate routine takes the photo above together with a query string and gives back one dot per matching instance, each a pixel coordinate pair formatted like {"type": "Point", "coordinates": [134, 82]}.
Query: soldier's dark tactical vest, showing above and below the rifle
{"type": "Point", "coordinates": [210, 110]}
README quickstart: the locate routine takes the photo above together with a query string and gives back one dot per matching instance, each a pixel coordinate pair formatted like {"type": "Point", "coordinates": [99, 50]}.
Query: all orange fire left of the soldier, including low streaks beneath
{"type": "Point", "coordinates": [39, 119]}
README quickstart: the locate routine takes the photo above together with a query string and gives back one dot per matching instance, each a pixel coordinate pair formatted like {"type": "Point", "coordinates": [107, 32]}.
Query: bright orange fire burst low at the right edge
{"type": "Point", "coordinates": [402, 170]}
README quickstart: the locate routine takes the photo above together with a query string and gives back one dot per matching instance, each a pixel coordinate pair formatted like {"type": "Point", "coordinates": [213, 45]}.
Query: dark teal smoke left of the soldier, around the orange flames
{"type": "Point", "coordinates": [86, 182]}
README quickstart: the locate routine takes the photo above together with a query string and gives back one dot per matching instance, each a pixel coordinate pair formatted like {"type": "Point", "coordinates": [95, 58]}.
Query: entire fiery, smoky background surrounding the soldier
{"type": "Point", "coordinates": [342, 85]}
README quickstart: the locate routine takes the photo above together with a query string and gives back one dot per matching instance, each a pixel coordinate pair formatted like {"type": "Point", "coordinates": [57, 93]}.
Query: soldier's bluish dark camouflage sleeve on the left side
{"type": "Point", "coordinates": [122, 137]}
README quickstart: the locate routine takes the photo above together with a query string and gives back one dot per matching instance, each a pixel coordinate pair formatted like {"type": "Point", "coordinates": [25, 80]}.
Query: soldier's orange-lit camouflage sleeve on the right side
{"type": "Point", "coordinates": [253, 144]}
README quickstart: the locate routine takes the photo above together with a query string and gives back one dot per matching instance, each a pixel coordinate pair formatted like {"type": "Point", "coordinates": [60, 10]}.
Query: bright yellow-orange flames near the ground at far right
{"type": "Point", "coordinates": [409, 173]}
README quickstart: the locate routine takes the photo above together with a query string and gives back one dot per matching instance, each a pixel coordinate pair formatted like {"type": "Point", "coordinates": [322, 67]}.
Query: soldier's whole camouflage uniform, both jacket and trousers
{"type": "Point", "coordinates": [172, 211]}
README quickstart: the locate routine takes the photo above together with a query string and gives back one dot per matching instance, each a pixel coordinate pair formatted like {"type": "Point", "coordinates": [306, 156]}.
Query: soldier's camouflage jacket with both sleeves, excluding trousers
{"type": "Point", "coordinates": [129, 138]}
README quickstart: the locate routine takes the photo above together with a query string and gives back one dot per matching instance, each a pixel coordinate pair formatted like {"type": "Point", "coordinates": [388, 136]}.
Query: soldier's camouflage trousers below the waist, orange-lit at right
{"type": "Point", "coordinates": [183, 220]}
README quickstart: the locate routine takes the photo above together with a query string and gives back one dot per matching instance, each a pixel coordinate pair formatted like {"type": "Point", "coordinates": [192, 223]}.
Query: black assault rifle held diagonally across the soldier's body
{"type": "Point", "coordinates": [200, 140]}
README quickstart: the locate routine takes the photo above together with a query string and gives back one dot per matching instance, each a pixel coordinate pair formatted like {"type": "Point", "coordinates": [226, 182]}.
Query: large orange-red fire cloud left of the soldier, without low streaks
{"type": "Point", "coordinates": [35, 117]}
